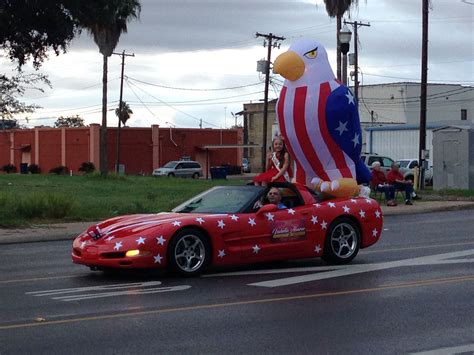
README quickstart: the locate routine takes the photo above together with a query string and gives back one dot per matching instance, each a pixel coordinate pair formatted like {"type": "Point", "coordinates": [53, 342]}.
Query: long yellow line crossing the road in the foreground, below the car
{"type": "Point", "coordinates": [243, 303]}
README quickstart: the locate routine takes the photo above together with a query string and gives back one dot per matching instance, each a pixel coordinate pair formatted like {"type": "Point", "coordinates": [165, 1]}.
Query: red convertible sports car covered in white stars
{"type": "Point", "coordinates": [221, 226]}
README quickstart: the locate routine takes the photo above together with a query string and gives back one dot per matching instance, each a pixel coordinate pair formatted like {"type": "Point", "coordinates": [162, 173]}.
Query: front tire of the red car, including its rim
{"type": "Point", "coordinates": [189, 252]}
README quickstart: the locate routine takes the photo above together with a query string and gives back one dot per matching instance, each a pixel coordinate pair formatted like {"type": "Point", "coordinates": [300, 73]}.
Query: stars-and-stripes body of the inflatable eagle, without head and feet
{"type": "Point", "coordinates": [322, 132]}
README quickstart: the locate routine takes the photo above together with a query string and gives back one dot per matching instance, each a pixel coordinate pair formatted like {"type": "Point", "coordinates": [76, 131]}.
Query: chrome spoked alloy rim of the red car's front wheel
{"type": "Point", "coordinates": [189, 253]}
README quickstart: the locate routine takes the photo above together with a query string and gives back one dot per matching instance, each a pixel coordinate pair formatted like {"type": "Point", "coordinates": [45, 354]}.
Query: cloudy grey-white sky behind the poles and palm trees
{"type": "Point", "coordinates": [196, 59]}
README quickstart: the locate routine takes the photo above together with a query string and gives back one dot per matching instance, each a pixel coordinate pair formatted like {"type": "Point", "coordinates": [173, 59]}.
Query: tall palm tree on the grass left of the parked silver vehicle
{"type": "Point", "coordinates": [106, 20]}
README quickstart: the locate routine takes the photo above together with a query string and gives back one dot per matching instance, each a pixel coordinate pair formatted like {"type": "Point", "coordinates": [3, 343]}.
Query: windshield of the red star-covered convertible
{"type": "Point", "coordinates": [221, 199]}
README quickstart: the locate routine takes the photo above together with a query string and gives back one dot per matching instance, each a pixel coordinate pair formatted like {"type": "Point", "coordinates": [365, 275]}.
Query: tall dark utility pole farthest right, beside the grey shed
{"type": "Point", "coordinates": [423, 93]}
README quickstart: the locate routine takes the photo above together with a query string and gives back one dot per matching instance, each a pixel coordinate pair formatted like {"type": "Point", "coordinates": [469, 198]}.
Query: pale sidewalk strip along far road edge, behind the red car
{"type": "Point", "coordinates": [68, 231]}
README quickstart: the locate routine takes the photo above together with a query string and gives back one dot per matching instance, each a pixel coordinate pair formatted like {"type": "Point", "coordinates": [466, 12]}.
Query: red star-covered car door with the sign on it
{"type": "Point", "coordinates": [272, 233]}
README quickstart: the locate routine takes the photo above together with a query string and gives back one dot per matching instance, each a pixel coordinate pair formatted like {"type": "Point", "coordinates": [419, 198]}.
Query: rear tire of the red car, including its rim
{"type": "Point", "coordinates": [342, 241]}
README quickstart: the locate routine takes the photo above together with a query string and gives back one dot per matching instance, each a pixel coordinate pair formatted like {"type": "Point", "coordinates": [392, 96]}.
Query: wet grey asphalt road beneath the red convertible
{"type": "Point", "coordinates": [412, 292]}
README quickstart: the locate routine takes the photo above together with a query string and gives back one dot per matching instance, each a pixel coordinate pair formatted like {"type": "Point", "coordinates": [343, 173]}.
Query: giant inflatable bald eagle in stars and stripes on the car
{"type": "Point", "coordinates": [319, 120]}
